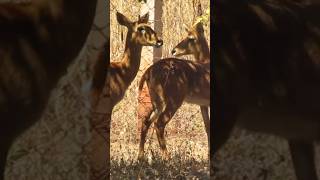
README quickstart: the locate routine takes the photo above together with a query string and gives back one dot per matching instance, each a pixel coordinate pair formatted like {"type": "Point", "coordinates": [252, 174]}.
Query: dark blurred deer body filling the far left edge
{"type": "Point", "coordinates": [39, 39]}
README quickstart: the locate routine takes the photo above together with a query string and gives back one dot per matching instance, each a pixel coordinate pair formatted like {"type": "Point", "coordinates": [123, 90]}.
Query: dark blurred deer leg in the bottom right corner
{"type": "Point", "coordinates": [302, 154]}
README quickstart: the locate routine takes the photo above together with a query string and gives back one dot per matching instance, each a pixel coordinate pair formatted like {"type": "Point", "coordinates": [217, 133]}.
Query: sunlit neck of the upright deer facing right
{"type": "Point", "coordinates": [131, 60]}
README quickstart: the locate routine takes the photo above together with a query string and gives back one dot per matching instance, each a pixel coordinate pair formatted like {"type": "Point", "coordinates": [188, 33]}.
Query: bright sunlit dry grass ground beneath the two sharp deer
{"type": "Point", "coordinates": [186, 143]}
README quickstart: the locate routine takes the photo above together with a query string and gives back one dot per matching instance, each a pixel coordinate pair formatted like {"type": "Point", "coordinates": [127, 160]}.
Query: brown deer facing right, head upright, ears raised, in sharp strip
{"type": "Point", "coordinates": [121, 74]}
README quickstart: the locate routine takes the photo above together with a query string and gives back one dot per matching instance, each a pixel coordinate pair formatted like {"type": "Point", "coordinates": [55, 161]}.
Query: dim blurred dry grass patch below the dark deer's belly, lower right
{"type": "Point", "coordinates": [252, 156]}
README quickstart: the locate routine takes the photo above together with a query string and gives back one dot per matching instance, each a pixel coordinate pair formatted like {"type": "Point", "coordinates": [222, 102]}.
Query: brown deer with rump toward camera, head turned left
{"type": "Point", "coordinates": [171, 81]}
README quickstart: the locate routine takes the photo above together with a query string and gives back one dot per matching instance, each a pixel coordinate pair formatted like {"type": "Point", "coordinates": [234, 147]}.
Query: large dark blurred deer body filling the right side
{"type": "Point", "coordinates": [266, 76]}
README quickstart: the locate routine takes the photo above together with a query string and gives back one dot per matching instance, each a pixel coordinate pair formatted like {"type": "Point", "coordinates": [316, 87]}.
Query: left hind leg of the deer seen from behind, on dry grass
{"type": "Point", "coordinates": [145, 125]}
